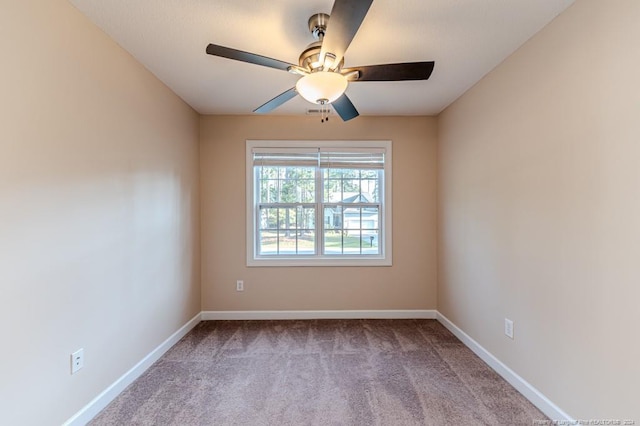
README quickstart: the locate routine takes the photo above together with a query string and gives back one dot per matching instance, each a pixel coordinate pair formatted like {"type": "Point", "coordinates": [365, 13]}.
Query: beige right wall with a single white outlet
{"type": "Point", "coordinates": [539, 207]}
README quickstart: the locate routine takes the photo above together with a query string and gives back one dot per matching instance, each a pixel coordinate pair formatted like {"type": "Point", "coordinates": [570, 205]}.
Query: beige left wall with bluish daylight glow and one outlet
{"type": "Point", "coordinates": [98, 211]}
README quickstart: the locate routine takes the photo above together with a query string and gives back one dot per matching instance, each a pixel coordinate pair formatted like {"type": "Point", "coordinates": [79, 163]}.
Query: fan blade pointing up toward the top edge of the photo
{"type": "Point", "coordinates": [344, 21]}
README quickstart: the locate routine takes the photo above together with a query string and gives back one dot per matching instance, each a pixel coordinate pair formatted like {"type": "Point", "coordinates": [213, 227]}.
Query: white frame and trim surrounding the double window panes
{"type": "Point", "coordinates": [385, 256]}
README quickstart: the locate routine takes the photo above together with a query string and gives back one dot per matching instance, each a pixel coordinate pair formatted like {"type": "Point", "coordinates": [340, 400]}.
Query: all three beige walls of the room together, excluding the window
{"type": "Point", "coordinates": [539, 208]}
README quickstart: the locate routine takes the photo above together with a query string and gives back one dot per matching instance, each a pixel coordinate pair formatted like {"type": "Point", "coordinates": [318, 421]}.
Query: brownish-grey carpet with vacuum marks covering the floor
{"type": "Point", "coordinates": [319, 372]}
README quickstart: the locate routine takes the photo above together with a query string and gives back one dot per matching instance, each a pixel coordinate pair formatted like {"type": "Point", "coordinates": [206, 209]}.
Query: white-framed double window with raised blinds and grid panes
{"type": "Point", "coordinates": [317, 203]}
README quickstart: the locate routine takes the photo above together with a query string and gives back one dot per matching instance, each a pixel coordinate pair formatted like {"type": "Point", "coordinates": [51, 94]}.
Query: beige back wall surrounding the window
{"type": "Point", "coordinates": [409, 284]}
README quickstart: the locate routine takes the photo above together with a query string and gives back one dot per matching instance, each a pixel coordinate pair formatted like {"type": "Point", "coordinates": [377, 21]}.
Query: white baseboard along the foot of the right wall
{"type": "Point", "coordinates": [532, 394]}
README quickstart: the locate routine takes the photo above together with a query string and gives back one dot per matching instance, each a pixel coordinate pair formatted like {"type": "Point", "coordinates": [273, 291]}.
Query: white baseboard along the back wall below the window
{"type": "Point", "coordinates": [338, 314]}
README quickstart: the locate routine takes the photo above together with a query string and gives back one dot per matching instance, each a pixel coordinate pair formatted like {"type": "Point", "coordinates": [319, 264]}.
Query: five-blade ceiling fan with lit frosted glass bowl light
{"type": "Point", "coordinates": [324, 80]}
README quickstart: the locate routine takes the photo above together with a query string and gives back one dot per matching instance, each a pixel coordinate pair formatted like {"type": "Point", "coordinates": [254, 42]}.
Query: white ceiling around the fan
{"type": "Point", "coordinates": [465, 38]}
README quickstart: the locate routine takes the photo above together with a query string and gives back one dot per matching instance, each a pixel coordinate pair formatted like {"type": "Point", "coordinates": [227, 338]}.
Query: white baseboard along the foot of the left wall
{"type": "Point", "coordinates": [96, 405]}
